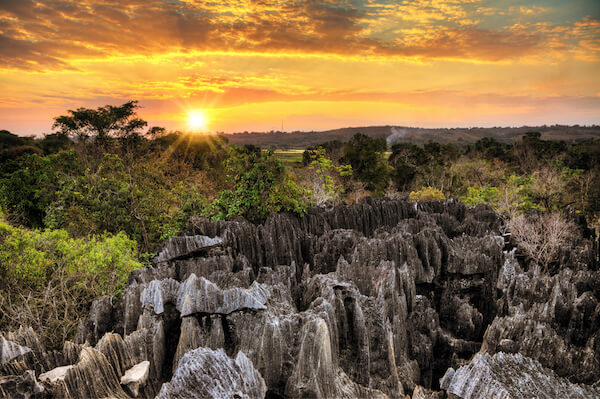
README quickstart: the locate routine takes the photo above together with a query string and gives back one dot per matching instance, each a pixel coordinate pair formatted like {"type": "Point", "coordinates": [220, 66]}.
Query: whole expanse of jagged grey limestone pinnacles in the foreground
{"type": "Point", "coordinates": [373, 300]}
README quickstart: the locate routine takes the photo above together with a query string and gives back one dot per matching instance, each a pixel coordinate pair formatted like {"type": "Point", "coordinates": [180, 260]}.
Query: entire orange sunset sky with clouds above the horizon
{"type": "Point", "coordinates": [304, 65]}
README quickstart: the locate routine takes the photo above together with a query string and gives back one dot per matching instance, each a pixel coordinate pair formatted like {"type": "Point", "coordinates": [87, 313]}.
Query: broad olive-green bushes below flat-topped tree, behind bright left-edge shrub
{"type": "Point", "coordinates": [139, 199]}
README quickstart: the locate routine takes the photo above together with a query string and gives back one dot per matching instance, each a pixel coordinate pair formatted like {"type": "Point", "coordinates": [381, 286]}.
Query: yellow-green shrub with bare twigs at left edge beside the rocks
{"type": "Point", "coordinates": [48, 279]}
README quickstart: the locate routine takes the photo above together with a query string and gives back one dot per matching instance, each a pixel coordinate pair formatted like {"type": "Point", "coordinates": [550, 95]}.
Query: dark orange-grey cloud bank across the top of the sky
{"type": "Point", "coordinates": [51, 33]}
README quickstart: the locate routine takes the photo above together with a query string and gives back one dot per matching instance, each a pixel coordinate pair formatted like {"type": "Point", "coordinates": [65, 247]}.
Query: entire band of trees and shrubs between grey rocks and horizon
{"type": "Point", "coordinates": [85, 205]}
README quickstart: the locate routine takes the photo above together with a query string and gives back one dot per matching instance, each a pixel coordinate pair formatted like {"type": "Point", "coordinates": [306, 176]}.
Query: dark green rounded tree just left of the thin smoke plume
{"type": "Point", "coordinates": [366, 155]}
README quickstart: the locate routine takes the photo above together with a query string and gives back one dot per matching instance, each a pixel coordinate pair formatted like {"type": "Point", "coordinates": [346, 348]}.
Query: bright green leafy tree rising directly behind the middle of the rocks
{"type": "Point", "coordinates": [260, 186]}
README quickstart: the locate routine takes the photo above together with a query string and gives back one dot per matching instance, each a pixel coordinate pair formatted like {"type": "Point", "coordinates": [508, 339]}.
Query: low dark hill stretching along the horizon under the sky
{"type": "Point", "coordinates": [415, 135]}
